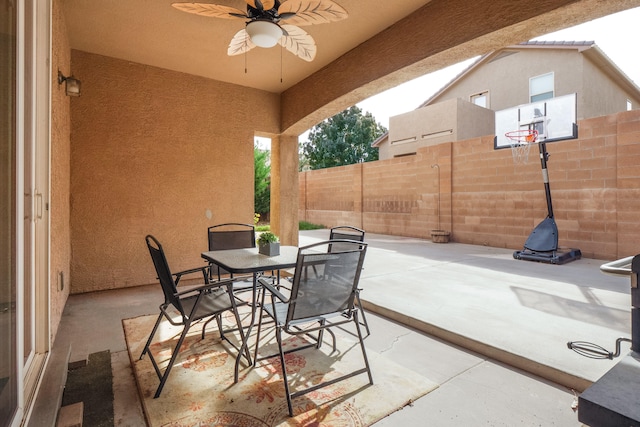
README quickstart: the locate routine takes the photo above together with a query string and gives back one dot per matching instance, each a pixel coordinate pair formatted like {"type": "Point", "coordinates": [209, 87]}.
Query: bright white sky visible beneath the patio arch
{"type": "Point", "coordinates": [616, 35]}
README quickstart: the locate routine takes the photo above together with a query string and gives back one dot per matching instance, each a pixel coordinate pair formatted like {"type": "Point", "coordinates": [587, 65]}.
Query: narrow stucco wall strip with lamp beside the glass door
{"type": "Point", "coordinates": [59, 209]}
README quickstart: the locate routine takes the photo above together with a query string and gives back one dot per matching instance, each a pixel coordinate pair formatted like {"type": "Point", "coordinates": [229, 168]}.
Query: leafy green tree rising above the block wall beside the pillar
{"type": "Point", "coordinates": [343, 139]}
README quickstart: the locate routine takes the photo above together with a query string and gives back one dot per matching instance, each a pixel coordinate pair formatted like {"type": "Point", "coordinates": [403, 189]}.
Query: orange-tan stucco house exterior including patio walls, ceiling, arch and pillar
{"type": "Point", "coordinates": [160, 140]}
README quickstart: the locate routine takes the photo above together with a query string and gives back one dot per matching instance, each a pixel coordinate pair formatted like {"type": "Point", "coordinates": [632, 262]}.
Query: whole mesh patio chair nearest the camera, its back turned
{"type": "Point", "coordinates": [324, 287]}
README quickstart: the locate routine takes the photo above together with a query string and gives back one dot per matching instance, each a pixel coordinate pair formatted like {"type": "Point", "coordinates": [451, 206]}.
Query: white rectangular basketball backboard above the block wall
{"type": "Point", "coordinates": [554, 119]}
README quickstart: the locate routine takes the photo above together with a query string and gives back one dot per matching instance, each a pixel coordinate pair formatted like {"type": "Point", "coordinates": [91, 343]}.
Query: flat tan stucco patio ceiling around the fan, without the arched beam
{"type": "Point", "coordinates": [154, 33]}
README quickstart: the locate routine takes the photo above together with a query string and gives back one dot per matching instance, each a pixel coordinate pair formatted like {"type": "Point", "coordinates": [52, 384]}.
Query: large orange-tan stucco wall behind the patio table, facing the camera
{"type": "Point", "coordinates": [156, 152]}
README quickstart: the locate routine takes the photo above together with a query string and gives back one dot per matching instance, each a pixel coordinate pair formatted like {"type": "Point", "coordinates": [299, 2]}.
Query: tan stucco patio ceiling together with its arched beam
{"type": "Point", "coordinates": [380, 45]}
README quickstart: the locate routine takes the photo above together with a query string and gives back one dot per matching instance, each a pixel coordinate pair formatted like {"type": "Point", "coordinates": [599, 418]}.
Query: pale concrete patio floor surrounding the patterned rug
{"type": "Point", "coordinates": [491, 330]}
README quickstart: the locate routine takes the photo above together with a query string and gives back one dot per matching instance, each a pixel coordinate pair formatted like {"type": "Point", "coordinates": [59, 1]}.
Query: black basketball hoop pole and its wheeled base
{"type": "Point", "coordinates": [542, 244]}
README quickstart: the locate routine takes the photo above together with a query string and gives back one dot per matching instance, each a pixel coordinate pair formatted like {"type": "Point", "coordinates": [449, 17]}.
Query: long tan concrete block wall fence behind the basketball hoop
{"type": "Point", "coordinates": [483, 198]}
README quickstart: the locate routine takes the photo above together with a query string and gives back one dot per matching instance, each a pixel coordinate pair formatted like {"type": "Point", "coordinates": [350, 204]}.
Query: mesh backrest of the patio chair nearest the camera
{"type": "Point", "coordinates": [325, 282]}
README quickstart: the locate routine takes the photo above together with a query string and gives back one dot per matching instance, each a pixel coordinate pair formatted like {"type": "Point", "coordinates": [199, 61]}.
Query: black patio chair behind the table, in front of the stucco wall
{"type": "Point", "coordinates": [231, 235]}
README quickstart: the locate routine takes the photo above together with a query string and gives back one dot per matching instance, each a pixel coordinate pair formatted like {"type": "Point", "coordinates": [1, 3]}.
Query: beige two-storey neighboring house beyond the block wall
{"type": "Point", "coordinates": [519, 74]}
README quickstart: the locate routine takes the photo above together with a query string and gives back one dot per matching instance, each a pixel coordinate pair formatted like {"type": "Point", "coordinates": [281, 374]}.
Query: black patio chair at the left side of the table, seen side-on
{"type": "Point", "coordinates": [195, 304]}
